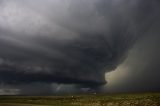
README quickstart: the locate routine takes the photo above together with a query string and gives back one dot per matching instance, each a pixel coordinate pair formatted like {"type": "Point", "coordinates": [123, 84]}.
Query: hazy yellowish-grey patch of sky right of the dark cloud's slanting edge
{"type": "Point", "coordinates": [140, 71]}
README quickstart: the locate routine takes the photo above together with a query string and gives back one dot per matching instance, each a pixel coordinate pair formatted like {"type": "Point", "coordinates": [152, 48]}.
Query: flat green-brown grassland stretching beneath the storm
{"type": "Point", "coordinates": [145, 99]}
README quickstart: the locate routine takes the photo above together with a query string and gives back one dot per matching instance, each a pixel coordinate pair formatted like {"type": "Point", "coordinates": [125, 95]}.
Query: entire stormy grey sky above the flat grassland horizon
{"type": "Point", "coordinates": [79, 46]}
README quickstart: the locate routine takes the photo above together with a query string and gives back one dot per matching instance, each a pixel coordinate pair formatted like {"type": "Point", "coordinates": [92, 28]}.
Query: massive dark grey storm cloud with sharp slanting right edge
{"type": "Point", "coordinates": [68, 41]}
